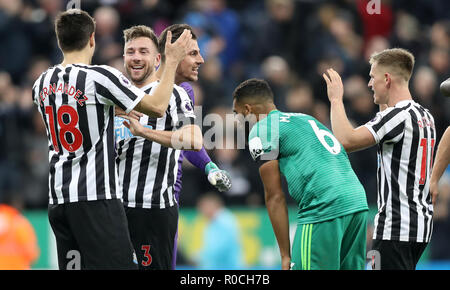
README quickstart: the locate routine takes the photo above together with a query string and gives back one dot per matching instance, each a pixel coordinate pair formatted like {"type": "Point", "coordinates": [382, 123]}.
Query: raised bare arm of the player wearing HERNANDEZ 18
{"type": "Point", "coordinates": [156, 104]}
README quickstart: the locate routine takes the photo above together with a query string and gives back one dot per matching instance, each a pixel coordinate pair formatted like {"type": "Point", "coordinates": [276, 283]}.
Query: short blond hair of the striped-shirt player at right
{"type": "Point", "coordinates": [398, 61]}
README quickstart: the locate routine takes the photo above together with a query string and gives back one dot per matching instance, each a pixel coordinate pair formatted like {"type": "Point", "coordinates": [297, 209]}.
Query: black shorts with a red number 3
{"type": "Point", "coordinates": [152, 233]}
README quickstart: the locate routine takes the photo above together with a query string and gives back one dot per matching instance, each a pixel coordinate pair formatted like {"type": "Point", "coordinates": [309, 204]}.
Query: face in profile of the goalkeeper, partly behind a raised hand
{"type": "Point", "coordinates": [187, 70]}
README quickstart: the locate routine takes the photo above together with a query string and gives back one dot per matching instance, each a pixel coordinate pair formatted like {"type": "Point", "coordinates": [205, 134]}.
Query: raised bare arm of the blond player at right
{"type": "Point", "coordinates": [352, 139]}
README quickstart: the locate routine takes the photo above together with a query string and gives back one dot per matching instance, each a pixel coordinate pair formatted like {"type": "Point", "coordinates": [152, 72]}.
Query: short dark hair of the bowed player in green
{"type": "Point", "coordinates": [257, 89]}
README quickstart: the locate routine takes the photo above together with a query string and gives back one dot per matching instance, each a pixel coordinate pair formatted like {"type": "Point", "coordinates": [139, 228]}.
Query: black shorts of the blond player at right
{"type": "Point", "coordinates": [396, 255]}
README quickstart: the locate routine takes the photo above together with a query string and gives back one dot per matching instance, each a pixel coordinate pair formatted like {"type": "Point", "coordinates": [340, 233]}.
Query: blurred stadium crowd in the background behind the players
{"type": "Point", "coordinates": [290, 43]}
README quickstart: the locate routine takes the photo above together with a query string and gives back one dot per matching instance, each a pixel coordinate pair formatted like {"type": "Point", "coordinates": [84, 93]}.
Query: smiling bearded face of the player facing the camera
{"type": "Point", "coordinates": [140, 58]}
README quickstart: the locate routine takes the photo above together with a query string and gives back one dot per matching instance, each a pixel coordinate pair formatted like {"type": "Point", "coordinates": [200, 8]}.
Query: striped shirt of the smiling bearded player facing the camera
{"type": "Point", "coordinates": [148, 170]}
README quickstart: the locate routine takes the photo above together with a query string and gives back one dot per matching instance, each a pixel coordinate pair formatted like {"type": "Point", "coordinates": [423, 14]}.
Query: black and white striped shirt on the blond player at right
{"type": "Point", "coordinates": [406, 137]}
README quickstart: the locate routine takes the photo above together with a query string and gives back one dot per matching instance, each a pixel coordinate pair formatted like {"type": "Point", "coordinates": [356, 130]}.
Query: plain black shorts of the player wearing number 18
{"type": "Point", "coordinates": [92, 235]}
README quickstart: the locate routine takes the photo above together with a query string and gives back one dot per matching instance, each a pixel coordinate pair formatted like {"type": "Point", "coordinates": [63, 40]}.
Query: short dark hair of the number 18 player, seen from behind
{"type": "Point", "coordinates": [73, 29]}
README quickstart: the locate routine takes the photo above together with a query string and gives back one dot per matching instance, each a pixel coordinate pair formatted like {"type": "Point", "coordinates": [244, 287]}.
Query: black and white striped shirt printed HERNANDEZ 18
{"type": "Point", "coordinates": [77, 106]}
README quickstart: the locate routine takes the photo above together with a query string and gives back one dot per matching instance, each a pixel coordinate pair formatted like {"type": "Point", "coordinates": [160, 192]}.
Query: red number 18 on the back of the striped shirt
{"type": "Point", "coordinates": [68, 127]}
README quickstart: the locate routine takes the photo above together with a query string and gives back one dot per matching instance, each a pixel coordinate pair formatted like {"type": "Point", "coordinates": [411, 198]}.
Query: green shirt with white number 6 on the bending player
{"type": "Point", "coordinates": [317, 170]}
